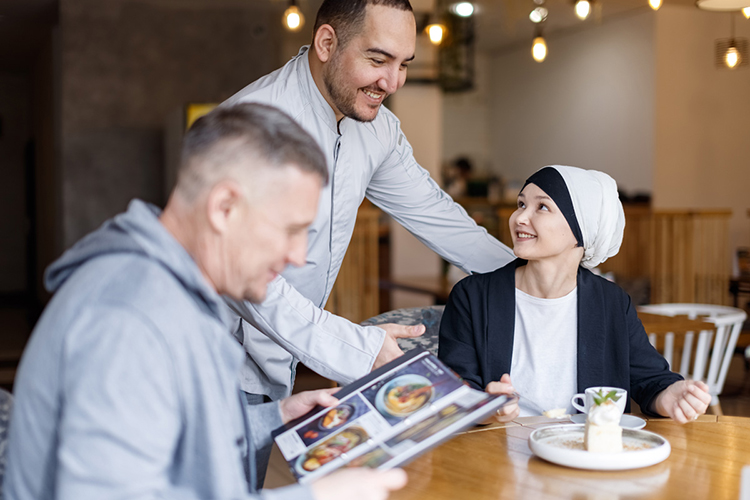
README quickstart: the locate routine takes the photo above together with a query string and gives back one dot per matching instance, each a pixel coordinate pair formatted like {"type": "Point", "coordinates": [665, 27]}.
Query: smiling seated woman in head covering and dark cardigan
{"type": "Point", "coordinates": [549, 323]}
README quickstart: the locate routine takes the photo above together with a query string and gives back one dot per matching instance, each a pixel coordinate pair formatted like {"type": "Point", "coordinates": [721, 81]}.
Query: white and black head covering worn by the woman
{"type": "Point", "coordinates": [588, 199]}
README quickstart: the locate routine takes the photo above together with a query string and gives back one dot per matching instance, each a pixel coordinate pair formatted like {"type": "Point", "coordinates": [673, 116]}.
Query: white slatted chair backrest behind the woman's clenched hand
{"type": "Point", "coordinates": [728, 323]}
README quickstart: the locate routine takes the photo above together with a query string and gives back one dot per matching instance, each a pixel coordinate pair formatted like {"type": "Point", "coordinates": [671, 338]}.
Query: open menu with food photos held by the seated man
{"type": "Point", "coordinates": [385, 419]}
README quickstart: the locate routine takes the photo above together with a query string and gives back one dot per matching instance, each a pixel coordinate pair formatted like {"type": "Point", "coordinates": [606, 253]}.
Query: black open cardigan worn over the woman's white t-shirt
{"type": "Point", "coordinates": [476, 336]}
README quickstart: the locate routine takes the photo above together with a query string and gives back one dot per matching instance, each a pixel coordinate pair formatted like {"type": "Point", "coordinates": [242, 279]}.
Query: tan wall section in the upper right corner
{"type": "Point", "coordinates": [702, 156]}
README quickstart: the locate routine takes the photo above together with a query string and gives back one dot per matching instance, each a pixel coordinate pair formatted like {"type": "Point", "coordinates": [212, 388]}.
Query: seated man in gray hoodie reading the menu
{"type": "Point", "coordinates": [128, 386]}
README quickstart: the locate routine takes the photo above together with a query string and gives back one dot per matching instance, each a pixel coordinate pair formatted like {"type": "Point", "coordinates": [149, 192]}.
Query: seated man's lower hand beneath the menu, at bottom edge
{"type": "Point", "coordinates": [362, 484]}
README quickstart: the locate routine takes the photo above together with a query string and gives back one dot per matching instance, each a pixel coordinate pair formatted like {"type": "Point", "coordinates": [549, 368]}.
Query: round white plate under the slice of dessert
{"type": "Point", "coordinates": [563, 445]}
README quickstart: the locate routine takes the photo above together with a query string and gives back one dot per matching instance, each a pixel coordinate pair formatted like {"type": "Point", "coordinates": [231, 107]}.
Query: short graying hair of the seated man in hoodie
{"type": "Point", "coordinates": [217, 141]}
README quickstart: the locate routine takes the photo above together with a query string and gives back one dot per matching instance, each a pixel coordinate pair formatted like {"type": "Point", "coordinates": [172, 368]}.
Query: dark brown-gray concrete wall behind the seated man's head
{"type": "Point", "coordinates": [125, 65]}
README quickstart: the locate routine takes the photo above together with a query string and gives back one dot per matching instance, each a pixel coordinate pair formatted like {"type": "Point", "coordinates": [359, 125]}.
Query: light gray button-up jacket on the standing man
{"type": "Point", "coordinates": [364, 159]}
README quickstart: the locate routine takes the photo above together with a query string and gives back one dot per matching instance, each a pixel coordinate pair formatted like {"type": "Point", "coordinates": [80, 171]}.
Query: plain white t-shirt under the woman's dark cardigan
{"type": "Point", "coordinates": [544, 366]}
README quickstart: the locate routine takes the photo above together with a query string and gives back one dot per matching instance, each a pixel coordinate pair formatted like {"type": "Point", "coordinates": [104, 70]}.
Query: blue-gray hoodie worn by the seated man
{"type": "Point", "coordinates": [128, 387]}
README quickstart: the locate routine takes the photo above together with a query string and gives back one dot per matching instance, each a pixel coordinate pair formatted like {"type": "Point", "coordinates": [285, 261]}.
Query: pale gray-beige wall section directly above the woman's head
{"type": "Point", "coordinates": [590, 104]}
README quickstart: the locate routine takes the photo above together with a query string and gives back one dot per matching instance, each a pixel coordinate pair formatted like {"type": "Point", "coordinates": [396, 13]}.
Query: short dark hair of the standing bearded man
{"type": "Point", "coordinates": [347, 16]}
